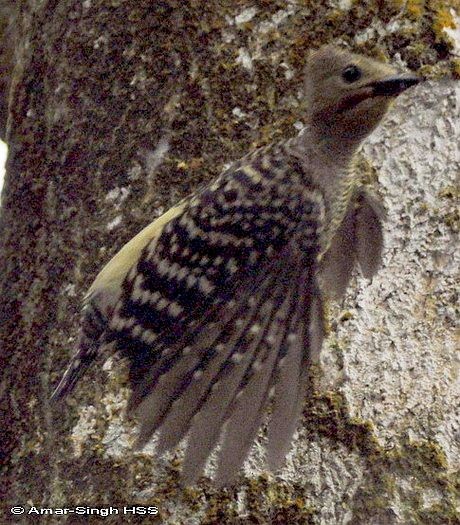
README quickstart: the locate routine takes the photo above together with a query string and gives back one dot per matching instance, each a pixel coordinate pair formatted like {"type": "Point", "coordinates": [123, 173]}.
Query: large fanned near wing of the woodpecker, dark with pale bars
{"type": "Point", "coordinates": [214, 308]}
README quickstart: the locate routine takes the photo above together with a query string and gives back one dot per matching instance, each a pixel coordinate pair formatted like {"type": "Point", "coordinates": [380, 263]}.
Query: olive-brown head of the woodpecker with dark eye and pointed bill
{"type": "Point", "coordinates": [348, 94]}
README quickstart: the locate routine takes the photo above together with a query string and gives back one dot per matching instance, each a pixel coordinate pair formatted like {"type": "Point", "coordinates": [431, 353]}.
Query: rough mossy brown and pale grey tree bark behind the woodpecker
{"type": "Point", "coordinates": [119, 108]}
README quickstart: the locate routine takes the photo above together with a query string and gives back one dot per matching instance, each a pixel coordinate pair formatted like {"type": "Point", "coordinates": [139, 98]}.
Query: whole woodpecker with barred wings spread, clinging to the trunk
{"type": "Point", "coordinates": [218, 305]}
